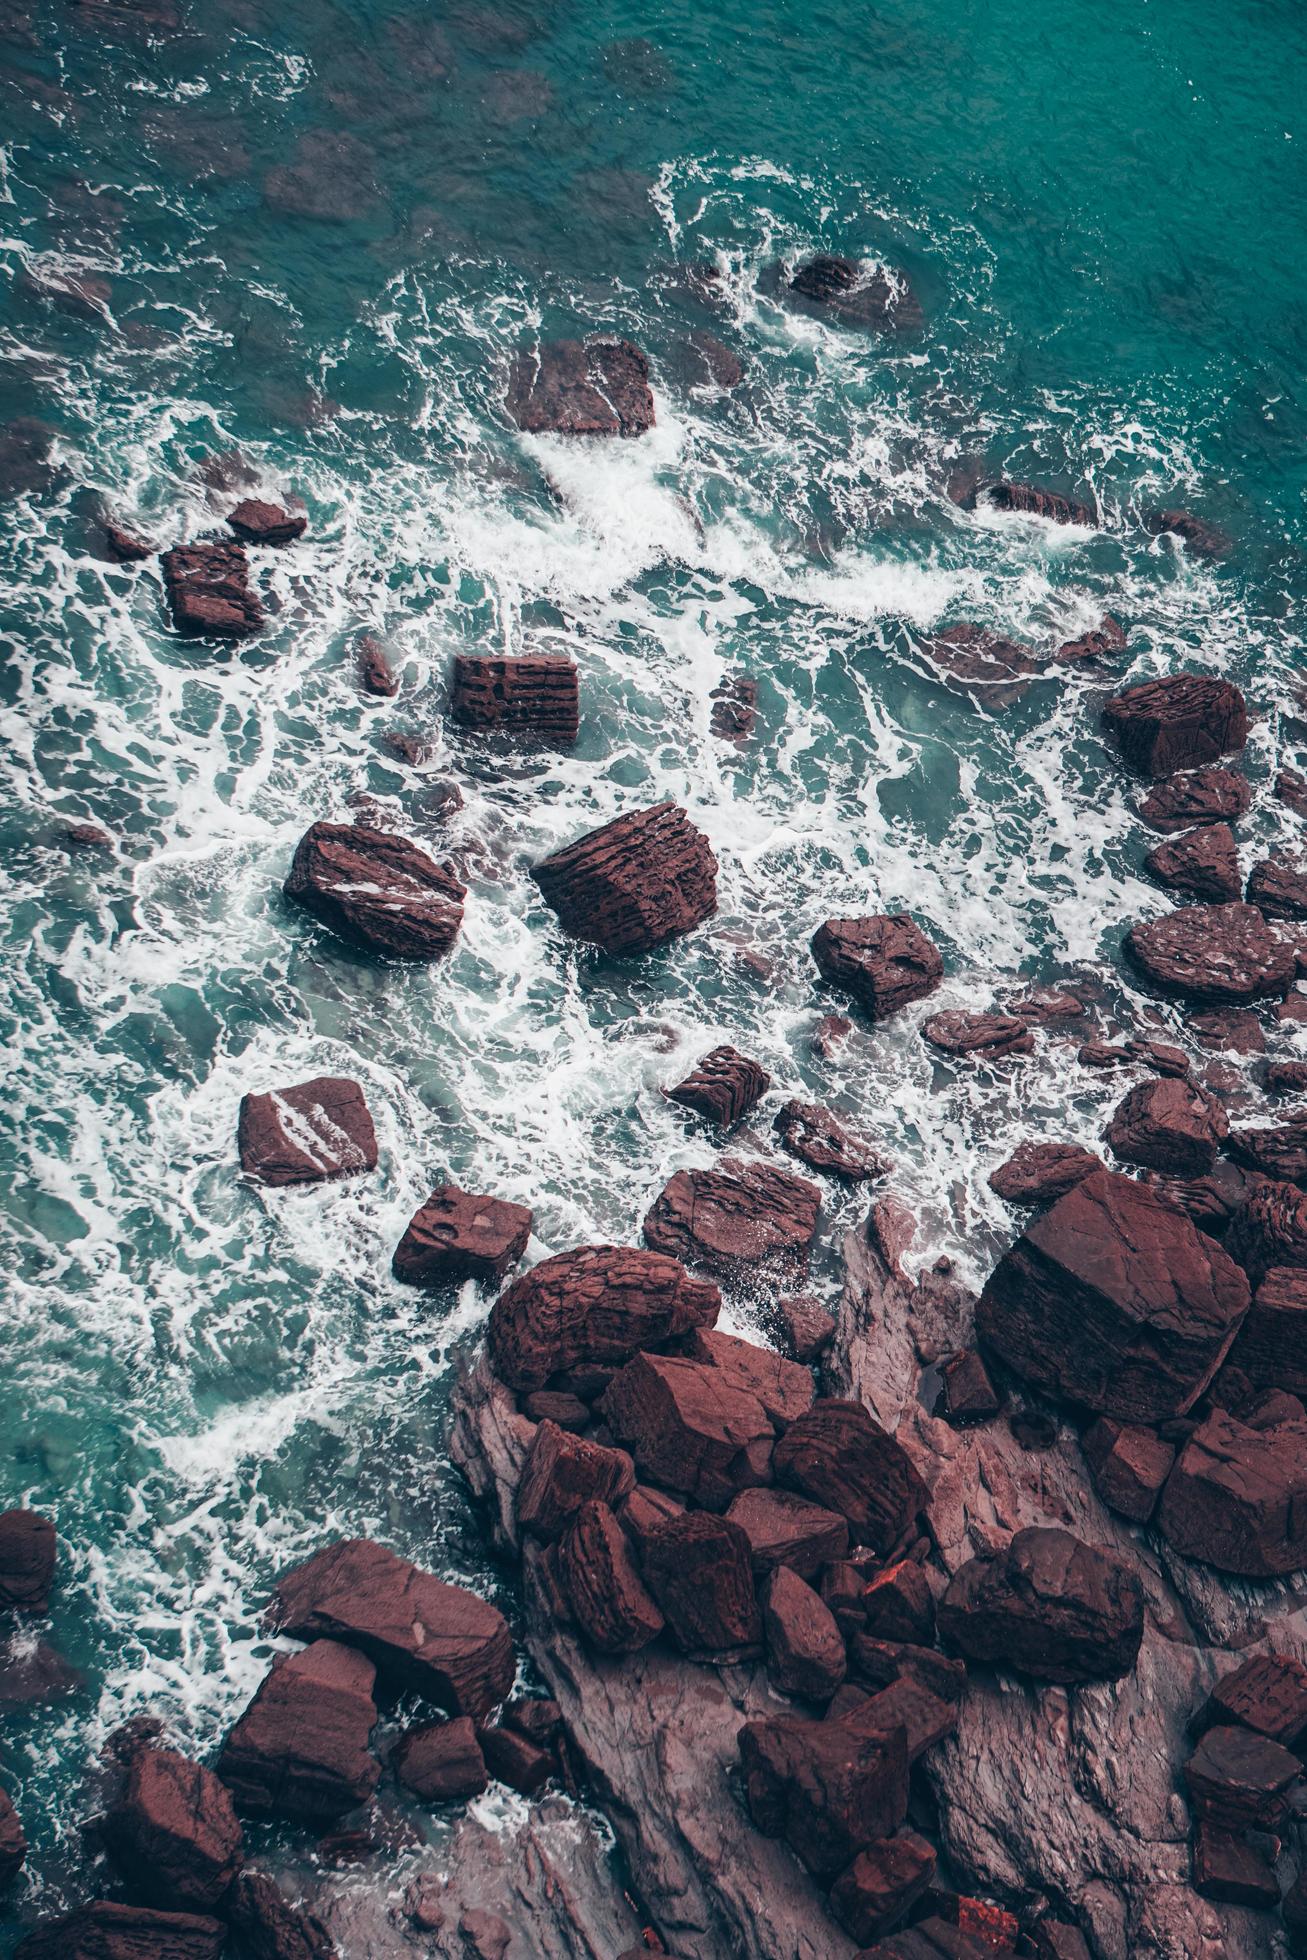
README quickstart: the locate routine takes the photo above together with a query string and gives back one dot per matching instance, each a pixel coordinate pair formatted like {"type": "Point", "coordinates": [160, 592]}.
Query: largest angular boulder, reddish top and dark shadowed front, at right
{"type": "Point", "coordinates": [1116, 1300]}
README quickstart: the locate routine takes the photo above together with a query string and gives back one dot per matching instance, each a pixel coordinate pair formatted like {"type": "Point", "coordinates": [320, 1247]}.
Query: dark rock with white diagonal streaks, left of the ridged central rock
{"type": "Point", "coordinates": [377, 891]}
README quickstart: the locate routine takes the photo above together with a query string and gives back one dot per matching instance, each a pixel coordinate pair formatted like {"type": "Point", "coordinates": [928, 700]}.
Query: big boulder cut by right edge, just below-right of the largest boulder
{"type": "Point", "coordinates": [1237, 1498]}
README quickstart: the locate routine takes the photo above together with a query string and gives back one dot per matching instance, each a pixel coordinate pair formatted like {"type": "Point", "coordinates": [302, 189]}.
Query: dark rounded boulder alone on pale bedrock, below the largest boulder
{"type": "Point", "coordinates": [1047, 1606]}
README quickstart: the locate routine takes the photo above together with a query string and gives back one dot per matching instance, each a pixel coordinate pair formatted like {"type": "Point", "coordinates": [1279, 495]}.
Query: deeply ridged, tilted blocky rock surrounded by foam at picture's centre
{"type": "Point", "coordinates": [636, 883]}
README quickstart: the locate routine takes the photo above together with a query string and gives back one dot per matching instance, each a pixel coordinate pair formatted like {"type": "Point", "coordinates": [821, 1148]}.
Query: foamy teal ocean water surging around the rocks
{"type": "Point", "coordinates": [1102, 211]}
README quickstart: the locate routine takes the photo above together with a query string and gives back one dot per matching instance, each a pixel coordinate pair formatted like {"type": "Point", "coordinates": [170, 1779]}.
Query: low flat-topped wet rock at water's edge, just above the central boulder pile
{"type": "Point", "coordinates": [744, 1214]}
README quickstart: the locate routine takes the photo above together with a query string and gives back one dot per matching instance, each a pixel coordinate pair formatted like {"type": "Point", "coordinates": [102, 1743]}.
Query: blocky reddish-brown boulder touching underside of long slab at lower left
{"type": "Point", "coordinates": [301, 1747]}
